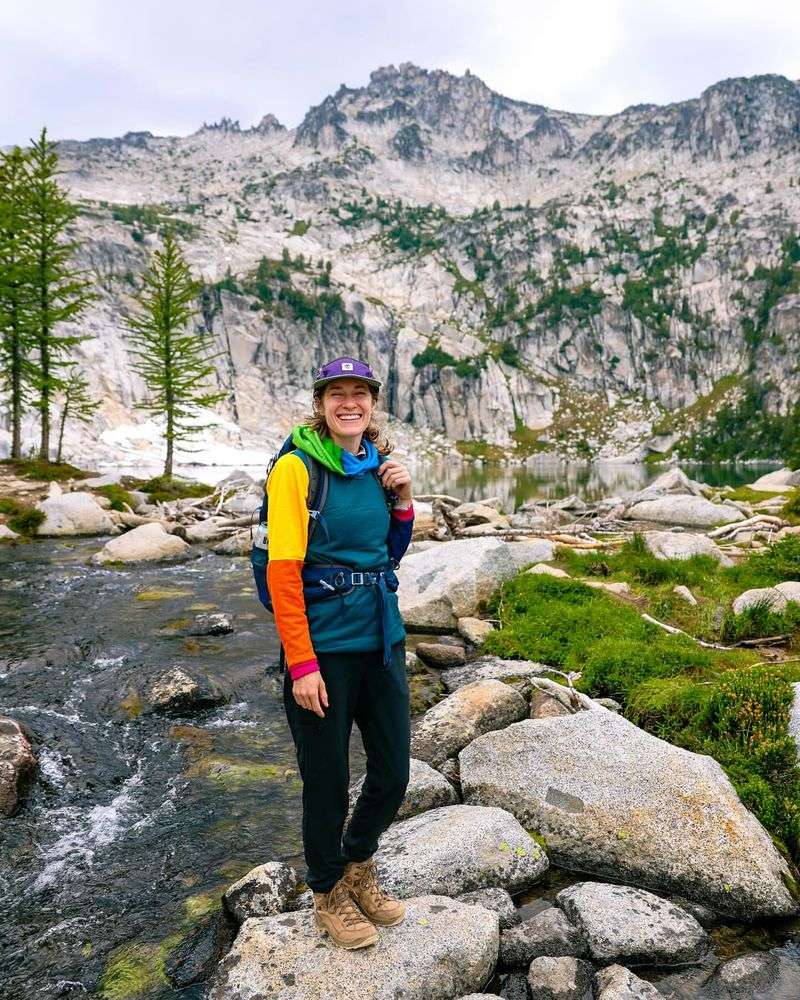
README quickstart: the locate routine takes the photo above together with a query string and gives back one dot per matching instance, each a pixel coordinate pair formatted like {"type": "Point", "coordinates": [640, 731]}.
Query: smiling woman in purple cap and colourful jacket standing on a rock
{"type": "Point", "coordinates": [345, 654]}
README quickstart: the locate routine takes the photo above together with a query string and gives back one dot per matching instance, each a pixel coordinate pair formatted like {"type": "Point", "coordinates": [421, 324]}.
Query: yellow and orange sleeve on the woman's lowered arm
{"type": "Point", "coordinates": [287, 531]}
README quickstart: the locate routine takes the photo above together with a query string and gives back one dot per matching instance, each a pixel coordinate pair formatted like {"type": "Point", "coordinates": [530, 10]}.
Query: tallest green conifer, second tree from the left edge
{"type": "Point", "coordinates": [61, 290]}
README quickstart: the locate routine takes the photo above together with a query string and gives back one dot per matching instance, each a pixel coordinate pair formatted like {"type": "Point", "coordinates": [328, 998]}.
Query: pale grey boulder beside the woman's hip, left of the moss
{"type": "Point", "coordinates": [452, 580]}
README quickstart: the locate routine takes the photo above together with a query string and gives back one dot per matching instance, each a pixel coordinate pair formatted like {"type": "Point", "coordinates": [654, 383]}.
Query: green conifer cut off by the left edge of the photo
{"type": "Point", "coordinates": [16, 283]}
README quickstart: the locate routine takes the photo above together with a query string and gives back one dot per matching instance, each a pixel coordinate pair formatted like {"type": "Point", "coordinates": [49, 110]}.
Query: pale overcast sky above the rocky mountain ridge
{"type": "Point", "coordinates": [104, 67]}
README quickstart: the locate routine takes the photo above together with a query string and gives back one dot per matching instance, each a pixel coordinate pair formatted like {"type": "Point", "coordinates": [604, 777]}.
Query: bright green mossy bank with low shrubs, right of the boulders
{"type": "Point", "coordinates": [732, 704]}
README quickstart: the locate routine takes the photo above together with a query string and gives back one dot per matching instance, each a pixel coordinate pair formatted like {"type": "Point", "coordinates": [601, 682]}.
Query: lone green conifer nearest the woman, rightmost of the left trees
{"type": "Point", "coordinates": [171, 359]}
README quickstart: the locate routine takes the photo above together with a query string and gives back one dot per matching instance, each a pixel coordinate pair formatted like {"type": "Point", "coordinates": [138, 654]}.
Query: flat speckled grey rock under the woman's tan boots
{"type": "Point", "coordinates": [443, 949]}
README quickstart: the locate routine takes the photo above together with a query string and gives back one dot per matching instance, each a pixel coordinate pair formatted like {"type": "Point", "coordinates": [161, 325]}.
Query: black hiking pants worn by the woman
{"type": "Point", "coordinates": [361, 689]}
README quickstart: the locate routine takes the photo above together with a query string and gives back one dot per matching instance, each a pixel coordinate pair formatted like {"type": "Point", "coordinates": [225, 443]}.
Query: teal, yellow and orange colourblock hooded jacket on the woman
{"type": "Point", "coordinates": [356, 530]}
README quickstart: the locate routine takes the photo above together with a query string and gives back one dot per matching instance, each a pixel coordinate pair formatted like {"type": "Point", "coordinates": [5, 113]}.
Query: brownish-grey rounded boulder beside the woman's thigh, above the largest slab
{"type": "Point", "coordinates": [470, 711]}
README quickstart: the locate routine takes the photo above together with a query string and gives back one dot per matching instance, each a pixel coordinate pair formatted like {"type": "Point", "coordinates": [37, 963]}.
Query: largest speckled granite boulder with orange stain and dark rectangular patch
{"type": "Point", "coordinates": [612, 800]}
